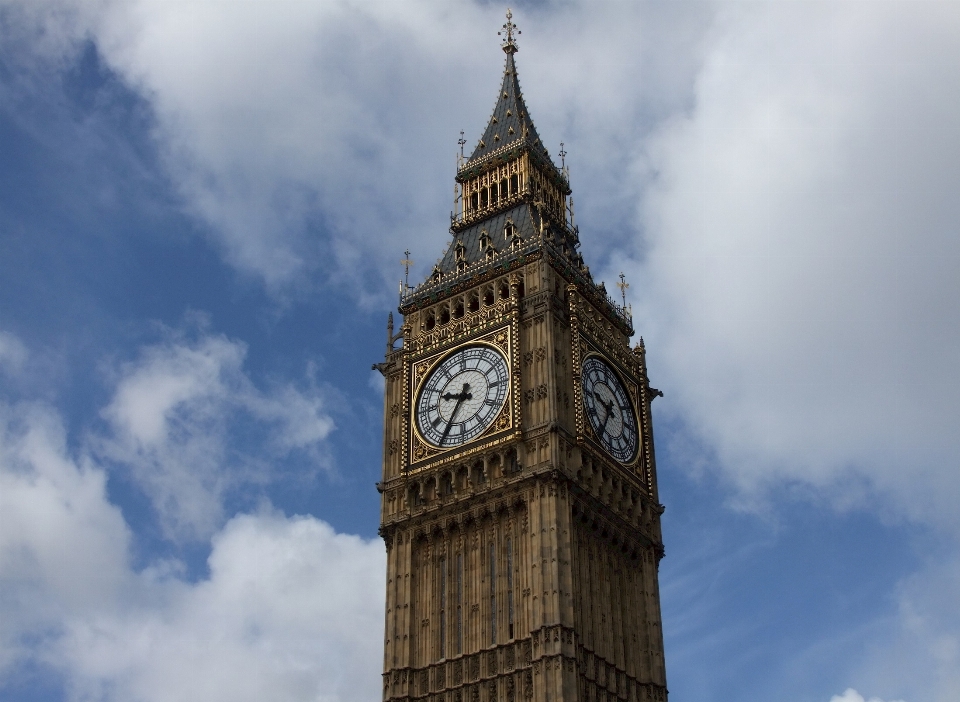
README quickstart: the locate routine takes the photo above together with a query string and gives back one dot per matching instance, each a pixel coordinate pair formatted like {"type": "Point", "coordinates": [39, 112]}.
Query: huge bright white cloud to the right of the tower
{"type": "Point", "coordinates": [800, 291]}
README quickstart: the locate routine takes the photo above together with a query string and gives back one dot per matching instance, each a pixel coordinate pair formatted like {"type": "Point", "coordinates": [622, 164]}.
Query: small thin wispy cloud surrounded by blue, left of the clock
{"type": "Point", "coordinates": [173, 427]}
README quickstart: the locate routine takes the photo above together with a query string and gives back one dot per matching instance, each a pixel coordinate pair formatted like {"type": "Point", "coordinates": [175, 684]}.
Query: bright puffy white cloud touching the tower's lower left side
{"type": "Point", "coordinates": [291, 611]}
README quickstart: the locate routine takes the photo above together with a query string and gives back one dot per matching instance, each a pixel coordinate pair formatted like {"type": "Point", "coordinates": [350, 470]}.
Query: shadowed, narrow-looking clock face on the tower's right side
{"type": "Point", "coordinates": [609, 410]}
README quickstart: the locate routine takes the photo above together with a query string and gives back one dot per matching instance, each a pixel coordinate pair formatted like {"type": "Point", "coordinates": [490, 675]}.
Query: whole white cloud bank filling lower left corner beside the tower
{"type": "Point", "coordinates": [291, 610]}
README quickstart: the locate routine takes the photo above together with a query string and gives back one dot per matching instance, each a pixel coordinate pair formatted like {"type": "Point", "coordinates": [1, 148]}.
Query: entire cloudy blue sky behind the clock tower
{"type": "Point", "coordinates": [202, 210]}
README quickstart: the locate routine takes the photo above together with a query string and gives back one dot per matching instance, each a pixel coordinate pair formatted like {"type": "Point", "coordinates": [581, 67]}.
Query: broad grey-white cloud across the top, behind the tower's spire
{"type": "Point", "coordinates": [321, 136]}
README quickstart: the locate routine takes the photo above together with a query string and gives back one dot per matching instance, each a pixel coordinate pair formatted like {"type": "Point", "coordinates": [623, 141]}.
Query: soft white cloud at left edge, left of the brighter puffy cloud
{"type": "Point", "coordinates": [63, 547]}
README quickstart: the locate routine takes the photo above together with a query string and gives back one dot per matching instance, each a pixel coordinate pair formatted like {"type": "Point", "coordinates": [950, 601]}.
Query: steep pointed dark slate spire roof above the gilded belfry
{"type": "Point", "coordinates": [497, 136]}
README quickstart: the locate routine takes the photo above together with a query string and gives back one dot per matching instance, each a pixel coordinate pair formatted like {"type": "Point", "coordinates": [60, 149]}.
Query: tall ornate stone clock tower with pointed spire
{"type": "Point", "coordinates": [519, 492]}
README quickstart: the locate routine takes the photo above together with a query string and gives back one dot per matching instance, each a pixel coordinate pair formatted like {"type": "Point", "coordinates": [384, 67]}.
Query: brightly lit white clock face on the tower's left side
{"type": "Point", "coordinates": [462, 396]}
